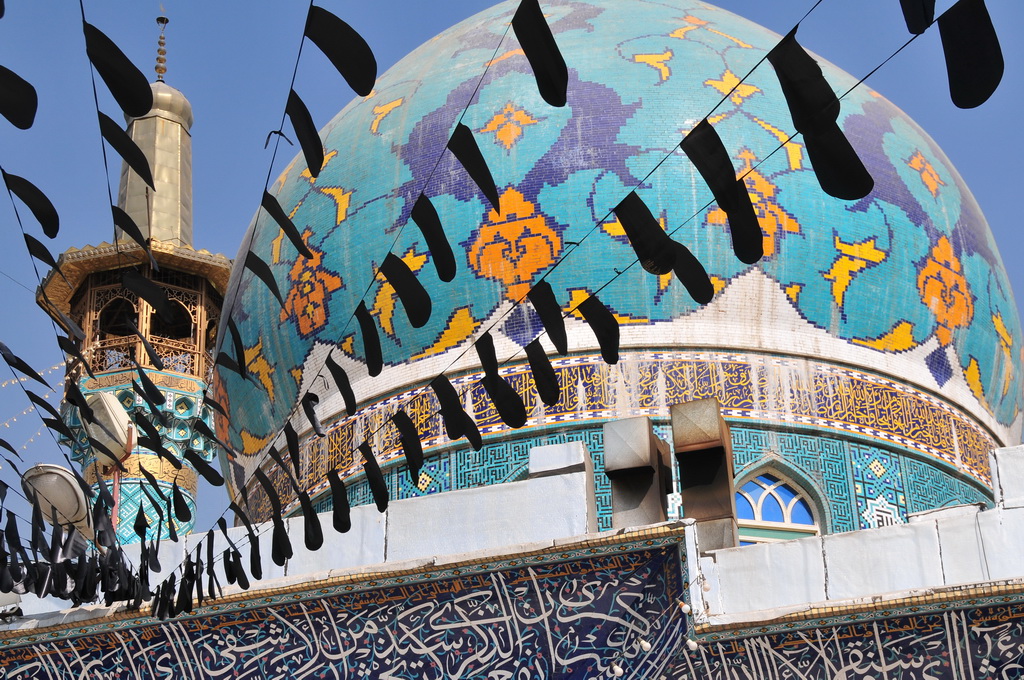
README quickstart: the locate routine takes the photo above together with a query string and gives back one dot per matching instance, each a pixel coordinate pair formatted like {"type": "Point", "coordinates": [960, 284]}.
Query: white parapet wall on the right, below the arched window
{"type": "Point", "coordinates": [936, 550]}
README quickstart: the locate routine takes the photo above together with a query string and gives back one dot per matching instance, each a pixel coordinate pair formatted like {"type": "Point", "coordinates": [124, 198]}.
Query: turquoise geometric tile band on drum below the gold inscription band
{"type": "Point", "coordinates": [863, 486]}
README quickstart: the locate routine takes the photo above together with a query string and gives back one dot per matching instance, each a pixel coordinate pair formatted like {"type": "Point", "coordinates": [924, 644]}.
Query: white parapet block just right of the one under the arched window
{"type": "Point", "coordinates": [882, 561]}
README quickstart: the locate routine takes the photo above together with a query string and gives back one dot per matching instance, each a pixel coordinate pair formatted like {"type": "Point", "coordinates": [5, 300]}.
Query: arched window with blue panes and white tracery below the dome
{"type": "Point", "coordinates": [770, 509]}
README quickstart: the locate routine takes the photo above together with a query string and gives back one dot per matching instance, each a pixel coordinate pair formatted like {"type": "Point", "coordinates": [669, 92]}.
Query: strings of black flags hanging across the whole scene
{"type": "Point", "coordinates": [63, 568]}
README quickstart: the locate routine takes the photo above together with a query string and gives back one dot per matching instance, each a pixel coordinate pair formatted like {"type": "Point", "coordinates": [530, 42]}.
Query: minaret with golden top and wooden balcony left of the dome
{"type": "Point", "coordinates": [91, 292]}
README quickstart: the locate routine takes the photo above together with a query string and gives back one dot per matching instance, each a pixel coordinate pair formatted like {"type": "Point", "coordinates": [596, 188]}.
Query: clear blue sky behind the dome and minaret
{"type": "Point", "coordinates": [234, 61]}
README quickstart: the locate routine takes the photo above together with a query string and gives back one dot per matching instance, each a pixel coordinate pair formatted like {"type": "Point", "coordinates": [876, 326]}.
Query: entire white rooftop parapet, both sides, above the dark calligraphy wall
{"type": "Point", "coordinates": [941, 559]}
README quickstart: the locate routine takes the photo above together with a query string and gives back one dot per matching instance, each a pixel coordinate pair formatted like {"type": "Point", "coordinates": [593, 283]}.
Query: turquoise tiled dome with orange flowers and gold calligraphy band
{"type": "Point", "coordinates": [886, 325]}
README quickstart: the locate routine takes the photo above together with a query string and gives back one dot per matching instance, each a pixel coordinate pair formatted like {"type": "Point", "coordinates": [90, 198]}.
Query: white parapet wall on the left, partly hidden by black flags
{"type": "Point", "coordinates": [553, 504]}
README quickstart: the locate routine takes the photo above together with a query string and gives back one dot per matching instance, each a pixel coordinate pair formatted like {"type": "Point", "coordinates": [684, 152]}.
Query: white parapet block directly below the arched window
{"type": "Point", "coordinates": [771, 575]}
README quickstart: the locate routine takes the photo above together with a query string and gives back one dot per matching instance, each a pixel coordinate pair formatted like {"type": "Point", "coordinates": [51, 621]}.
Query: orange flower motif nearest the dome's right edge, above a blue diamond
{"type": "Point", "coordinates": [945, 289]}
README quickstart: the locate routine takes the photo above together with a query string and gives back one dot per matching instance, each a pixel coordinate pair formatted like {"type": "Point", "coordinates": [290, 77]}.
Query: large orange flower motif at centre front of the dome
{"type": "Point", "coordinates": [515, 245]}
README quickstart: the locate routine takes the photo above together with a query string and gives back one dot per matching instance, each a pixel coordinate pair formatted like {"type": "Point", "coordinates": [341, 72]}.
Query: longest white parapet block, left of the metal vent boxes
{"type": "Point", "coordinates": [489, 518]}
